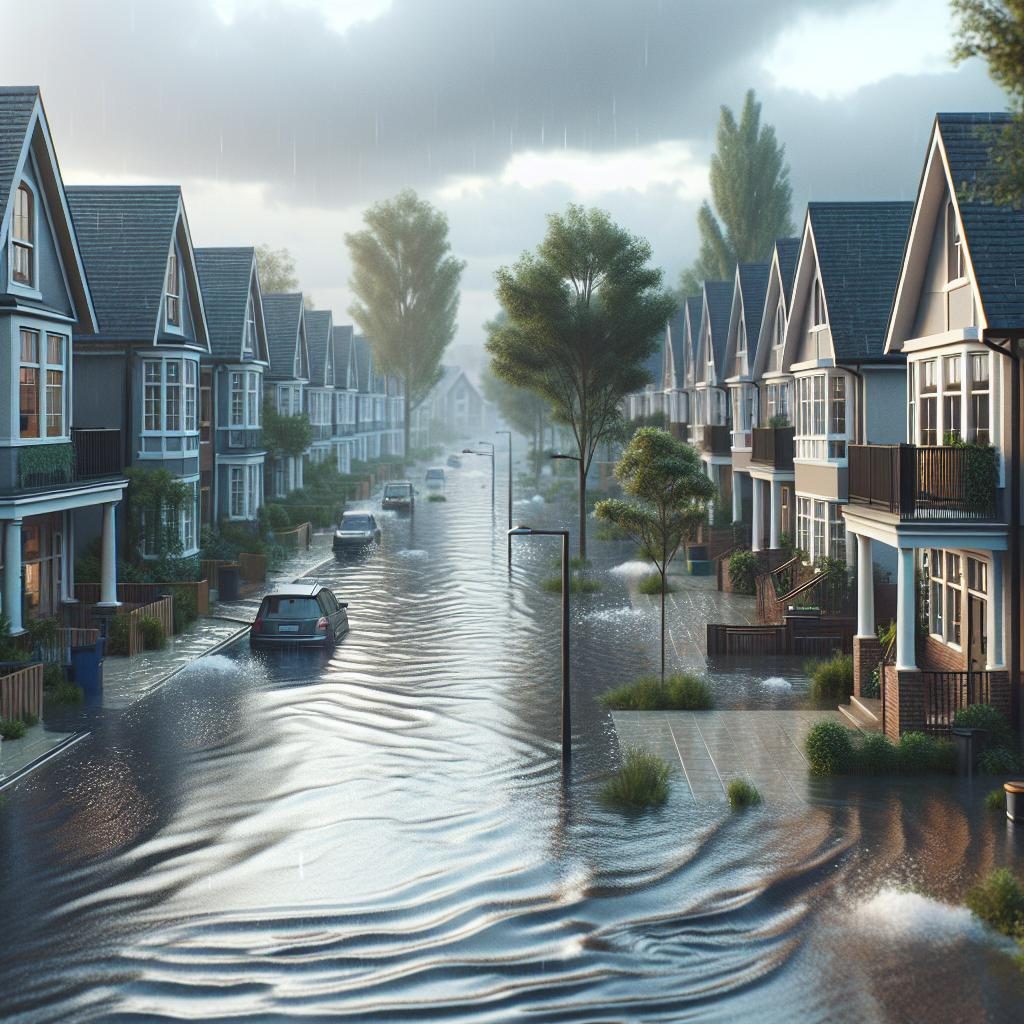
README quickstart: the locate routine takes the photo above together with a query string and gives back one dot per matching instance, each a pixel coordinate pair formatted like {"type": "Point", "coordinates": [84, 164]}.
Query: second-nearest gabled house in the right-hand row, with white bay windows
{"type": "Point", "coordinates": [848, 390]}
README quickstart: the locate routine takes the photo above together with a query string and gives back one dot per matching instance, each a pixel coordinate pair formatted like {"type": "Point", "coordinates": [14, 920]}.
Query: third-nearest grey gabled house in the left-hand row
{"type": "Point", "coordinates": [232, 387]}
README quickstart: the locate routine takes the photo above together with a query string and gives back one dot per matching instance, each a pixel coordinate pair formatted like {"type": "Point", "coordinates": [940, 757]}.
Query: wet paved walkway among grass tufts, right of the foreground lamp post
{"type": "Point", "coordinates": [712, 748]}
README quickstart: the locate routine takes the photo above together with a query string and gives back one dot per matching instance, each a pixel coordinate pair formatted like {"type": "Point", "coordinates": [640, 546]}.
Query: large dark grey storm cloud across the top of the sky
{"type": "Point", "coordinates": [428, 91]}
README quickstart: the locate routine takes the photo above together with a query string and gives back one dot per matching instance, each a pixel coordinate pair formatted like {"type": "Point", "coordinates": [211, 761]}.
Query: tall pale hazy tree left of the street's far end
{"type": "Point", "coordinates": [406, 283]}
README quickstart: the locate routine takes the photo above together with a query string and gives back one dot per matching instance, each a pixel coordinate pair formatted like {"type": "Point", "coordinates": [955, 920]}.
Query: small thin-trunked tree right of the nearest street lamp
{"type": "Point", "coordinates": [672, 492]}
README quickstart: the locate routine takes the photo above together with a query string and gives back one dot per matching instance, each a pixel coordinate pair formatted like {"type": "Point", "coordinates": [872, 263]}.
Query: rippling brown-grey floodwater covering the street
{"type": "Point", "coordinates": [388, 836]}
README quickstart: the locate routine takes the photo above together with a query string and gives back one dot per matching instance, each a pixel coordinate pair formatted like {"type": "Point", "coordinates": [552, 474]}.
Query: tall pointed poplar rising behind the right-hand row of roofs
{"type": "Point", "coordinates": [750, 186]}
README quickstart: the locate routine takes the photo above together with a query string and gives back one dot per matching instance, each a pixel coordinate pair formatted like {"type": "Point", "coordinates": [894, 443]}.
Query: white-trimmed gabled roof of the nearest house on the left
{"type": "Point", "coordinates": [25, 130]}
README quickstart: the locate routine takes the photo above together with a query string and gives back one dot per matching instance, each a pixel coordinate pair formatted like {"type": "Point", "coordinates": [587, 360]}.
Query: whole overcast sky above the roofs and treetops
{"type": "Point", "coordinates": [284, 119]}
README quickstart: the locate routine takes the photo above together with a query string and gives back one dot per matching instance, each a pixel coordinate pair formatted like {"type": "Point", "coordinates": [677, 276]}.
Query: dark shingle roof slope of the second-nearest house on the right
{"type": "Point", "coordinates": [860, 249]}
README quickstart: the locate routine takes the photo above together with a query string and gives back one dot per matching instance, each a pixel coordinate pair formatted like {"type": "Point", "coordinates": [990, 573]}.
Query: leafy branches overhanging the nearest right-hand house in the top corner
{"type": "Point", "coordinates": [995, 30]}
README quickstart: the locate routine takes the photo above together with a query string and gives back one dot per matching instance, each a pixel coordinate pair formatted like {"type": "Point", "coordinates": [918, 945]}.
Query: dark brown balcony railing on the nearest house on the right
{"type": "Point", "coordinates": [940, 483]}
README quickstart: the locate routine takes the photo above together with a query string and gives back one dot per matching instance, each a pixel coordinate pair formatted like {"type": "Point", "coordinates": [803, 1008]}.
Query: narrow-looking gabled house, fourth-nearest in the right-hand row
{"type": "Point", "coordinates": [745, 325]}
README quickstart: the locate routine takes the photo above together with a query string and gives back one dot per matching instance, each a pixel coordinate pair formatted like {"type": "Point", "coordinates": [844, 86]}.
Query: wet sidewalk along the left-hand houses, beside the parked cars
{"type": "Point", "coordinates": [127, 680]}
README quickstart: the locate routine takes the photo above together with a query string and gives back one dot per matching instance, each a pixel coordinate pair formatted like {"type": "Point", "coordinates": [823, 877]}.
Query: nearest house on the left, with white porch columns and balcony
{"type": "Point", "coordinates": [52, 467]}
